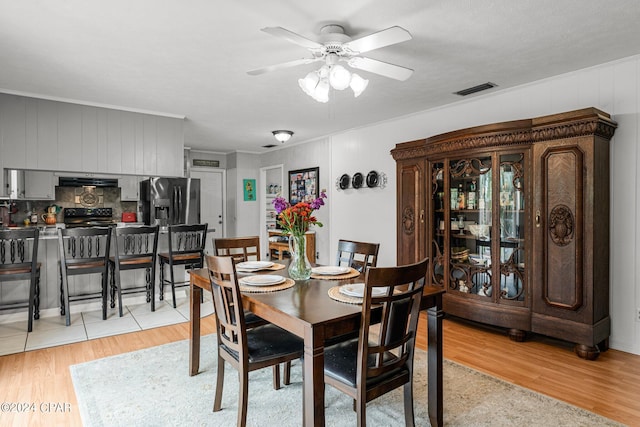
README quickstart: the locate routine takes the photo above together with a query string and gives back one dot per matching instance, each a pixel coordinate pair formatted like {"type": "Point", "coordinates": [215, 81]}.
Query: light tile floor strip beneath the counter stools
{"type": "Point", "coordinates": [87, 323]}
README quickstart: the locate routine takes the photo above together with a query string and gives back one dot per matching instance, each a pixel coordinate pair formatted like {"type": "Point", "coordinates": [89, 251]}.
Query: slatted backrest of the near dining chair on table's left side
{"type": "Point", "coordinates": [230, 322]}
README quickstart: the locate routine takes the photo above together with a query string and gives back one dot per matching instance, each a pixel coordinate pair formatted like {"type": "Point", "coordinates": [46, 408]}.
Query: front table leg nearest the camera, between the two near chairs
{"type": "Point", "coordinates": [313, 370]}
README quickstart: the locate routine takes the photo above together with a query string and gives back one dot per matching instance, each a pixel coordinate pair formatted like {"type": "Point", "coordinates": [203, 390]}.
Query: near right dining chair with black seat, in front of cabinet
{"type": "Point", "coordinates": [377, 362]}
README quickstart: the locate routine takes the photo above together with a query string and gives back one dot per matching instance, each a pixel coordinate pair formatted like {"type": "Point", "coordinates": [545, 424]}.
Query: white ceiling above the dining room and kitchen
{"type": "Point", "coordinates": [190, 57]}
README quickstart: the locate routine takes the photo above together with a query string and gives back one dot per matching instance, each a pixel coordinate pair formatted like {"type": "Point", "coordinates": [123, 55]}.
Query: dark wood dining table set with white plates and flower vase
{"type": "Point", "coordinates": [307, 310]}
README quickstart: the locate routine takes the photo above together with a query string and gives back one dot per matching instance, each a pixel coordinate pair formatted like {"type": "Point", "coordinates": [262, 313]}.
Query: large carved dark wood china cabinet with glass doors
{"type": "Point", "coordinates": [515, 218]}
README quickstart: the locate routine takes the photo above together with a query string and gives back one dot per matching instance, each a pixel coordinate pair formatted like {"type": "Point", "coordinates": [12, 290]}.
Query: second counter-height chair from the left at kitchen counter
{"type": "Point", "coordinates": [83, 250]}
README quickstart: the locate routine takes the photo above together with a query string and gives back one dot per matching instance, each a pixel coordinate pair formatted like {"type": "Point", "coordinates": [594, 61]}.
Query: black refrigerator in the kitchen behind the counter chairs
{"type": "Point", "coordinates": [170, 201]}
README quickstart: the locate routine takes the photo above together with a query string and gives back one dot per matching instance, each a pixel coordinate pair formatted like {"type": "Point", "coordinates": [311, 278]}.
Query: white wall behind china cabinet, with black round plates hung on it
{"type": "Point", "coordinates": [369, 214]}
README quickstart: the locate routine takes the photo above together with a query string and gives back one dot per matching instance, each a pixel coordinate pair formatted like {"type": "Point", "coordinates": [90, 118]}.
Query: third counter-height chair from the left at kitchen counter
{"type": "Point", "coordinates": [134, 248]}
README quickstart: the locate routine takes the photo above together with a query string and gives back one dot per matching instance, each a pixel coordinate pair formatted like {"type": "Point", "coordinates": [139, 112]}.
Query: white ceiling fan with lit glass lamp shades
{"type": "Point", "coordinates": [335, 46]}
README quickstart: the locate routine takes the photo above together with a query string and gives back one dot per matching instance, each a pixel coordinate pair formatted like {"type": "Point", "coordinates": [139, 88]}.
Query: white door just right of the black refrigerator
{"type": "Point", "coordinates": [212, 201]}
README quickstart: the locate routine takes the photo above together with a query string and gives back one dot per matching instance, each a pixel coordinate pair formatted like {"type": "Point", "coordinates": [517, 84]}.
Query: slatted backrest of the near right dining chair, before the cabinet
{"type": "Point", "coordinates": [393, 344]}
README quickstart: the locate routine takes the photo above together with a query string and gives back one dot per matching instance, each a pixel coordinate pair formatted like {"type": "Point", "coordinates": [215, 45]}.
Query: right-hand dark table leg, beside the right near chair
{"type": "Point", "coordinates": [434, 326]}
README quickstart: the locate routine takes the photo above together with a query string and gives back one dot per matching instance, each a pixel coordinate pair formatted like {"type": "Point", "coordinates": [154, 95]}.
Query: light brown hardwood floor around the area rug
{"type": "Point", "coordinates": [609, 386]}
